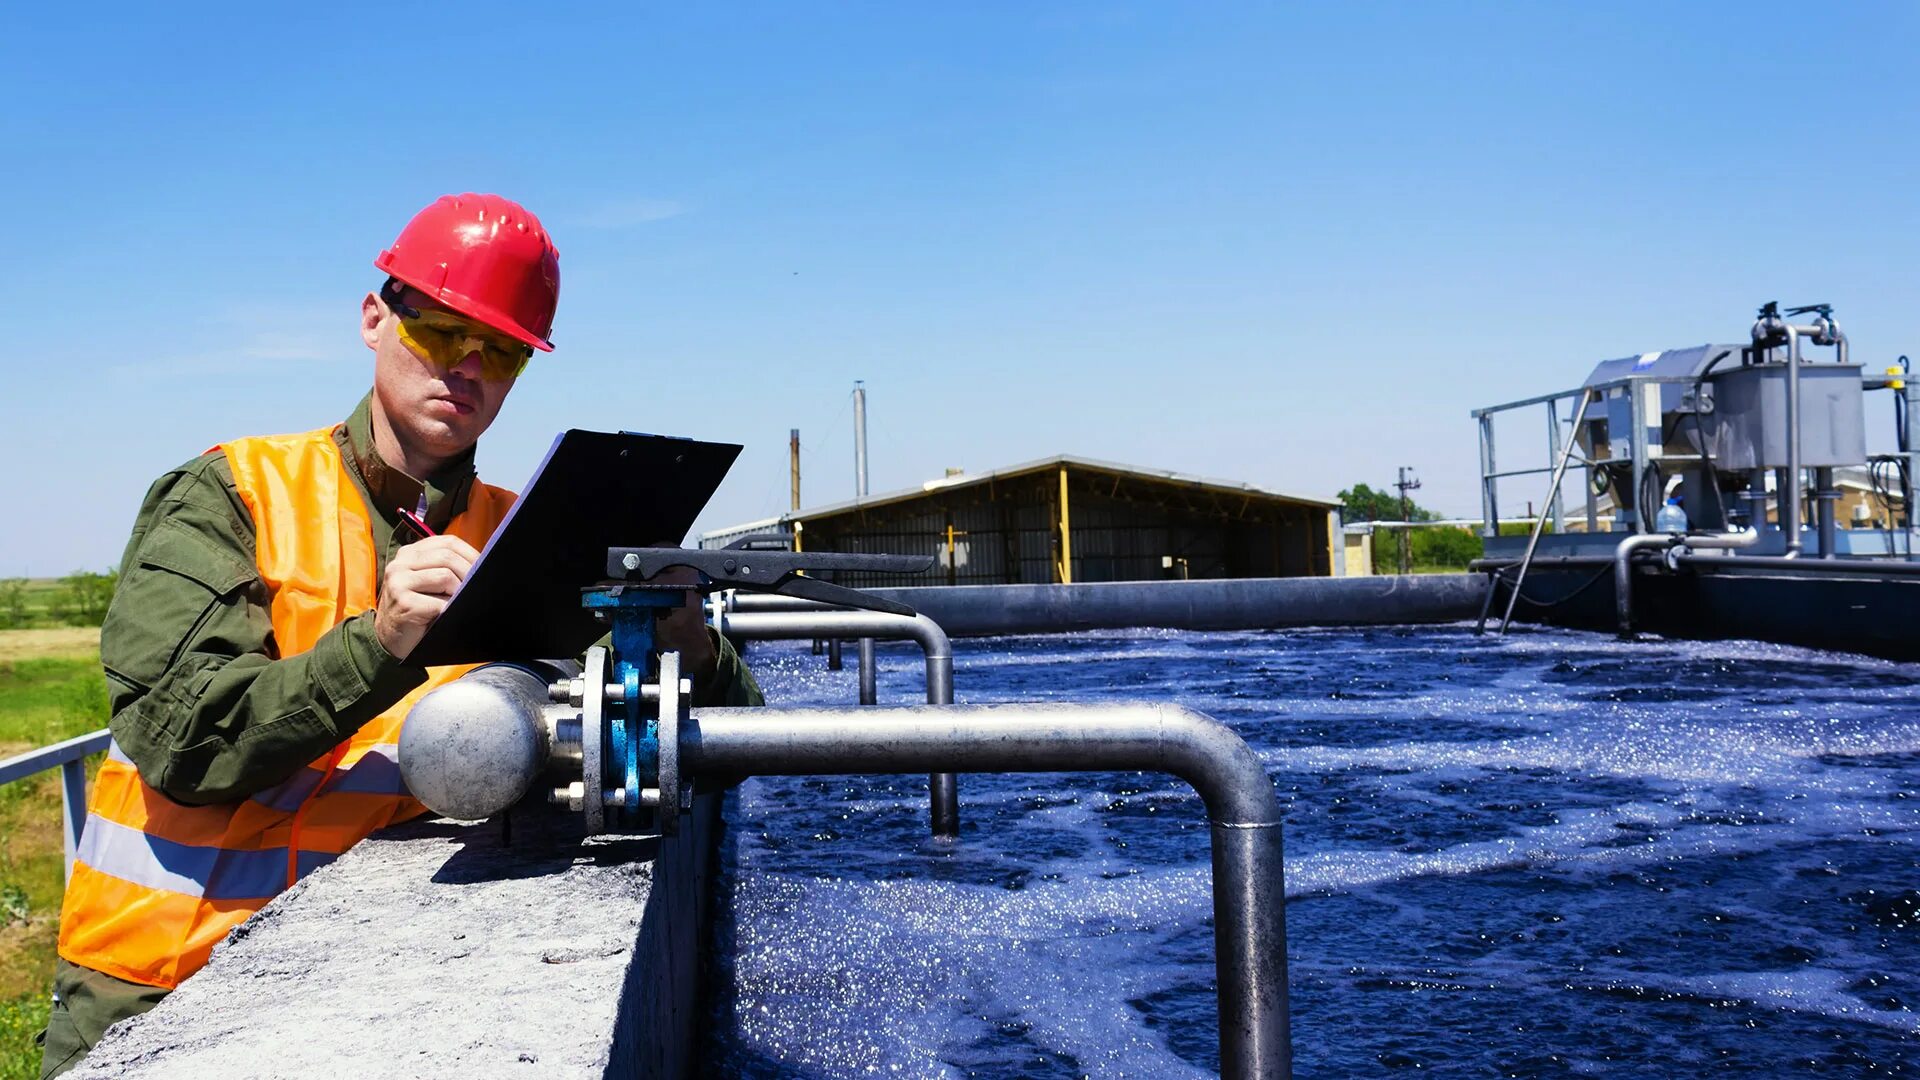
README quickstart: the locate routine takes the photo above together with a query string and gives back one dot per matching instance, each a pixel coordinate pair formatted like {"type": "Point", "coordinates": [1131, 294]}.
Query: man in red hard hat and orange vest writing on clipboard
{"type": "Point", "coordinates": [256, 649]}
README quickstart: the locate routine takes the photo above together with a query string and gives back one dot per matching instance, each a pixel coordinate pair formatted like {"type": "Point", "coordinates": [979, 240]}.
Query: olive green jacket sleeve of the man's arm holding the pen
{"type": "Point", "coordinates": [203, 702]}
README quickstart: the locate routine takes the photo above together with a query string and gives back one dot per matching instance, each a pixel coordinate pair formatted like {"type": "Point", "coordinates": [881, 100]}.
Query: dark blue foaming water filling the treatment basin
{"type": "Point", "coordinates": [1543, 856]}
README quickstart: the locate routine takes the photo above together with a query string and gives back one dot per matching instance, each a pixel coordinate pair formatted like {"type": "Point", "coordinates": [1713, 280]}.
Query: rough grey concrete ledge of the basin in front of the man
{"type": "Point", "coordinates": [439, 950]}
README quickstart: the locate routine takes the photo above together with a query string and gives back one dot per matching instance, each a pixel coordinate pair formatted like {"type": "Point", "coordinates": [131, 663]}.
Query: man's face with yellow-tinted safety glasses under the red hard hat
{"type": "Point", "coordinates": [439, 406]}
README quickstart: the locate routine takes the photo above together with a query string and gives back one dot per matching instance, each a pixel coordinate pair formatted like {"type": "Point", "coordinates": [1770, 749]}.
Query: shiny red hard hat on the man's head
{"type": "Point", "coordinates": [487, 258]}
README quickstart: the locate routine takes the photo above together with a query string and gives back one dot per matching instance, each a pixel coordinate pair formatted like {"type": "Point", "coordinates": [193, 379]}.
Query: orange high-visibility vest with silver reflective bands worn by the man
{"type": "Point", "coordinates": [156, 885]}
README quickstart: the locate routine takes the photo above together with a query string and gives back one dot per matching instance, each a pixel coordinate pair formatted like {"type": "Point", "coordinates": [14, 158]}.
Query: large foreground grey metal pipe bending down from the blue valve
{"type": "Point", "coordinates": [1249, 887]}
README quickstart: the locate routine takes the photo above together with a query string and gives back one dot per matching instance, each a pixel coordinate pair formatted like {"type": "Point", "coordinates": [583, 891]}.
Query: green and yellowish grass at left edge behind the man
{"type": "Point", "coordinates": [41, 700]}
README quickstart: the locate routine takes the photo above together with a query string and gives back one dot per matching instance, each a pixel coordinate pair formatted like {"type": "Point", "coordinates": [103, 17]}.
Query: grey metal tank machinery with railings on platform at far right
{"type": "Point", "coordinates": [1760, 443]}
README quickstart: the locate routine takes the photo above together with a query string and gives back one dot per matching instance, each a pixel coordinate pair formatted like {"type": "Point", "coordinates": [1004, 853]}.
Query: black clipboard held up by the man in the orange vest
{"type": "Point", "coordinates": [594, 491]}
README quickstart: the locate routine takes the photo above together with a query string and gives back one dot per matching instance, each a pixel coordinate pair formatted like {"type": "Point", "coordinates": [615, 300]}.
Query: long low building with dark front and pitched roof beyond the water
{"type": "Point", "coordinates": [1072, 520]}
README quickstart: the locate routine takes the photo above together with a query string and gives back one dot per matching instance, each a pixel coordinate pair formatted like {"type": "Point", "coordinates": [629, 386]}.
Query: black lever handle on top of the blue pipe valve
{"type": "Point", "coordinates": [769, 572]}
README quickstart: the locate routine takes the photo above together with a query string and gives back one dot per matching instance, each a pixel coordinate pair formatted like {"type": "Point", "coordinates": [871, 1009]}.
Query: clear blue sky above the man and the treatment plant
{"type": "Point", "coordinates": [1276, 245]}
